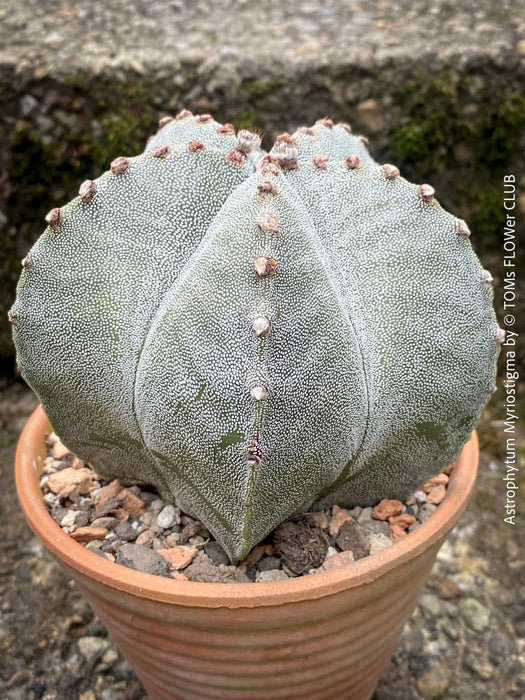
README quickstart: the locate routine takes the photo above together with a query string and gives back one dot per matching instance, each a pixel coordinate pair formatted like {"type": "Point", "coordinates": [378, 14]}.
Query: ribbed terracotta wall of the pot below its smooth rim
{"type": "Point", "coordinates": [312, 649]}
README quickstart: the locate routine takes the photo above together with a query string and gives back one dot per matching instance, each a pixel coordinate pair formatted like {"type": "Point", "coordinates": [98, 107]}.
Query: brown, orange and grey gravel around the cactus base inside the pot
{"type": "Point", "coordinates": [134, 527]}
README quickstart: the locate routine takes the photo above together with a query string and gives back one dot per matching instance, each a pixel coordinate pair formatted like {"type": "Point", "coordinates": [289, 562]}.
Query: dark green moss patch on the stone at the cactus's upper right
{"type": "Point", "coordinates": [477, 147]}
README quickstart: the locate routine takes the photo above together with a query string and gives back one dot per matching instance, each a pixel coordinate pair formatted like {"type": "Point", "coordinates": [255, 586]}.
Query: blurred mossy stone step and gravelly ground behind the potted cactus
{"type": "Point", "coordinates": [438, 88]}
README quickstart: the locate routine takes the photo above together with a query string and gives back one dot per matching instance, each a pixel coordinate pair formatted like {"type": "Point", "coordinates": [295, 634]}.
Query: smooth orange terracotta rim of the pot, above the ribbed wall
{"type": "Point", "coordinates": [29, 462]}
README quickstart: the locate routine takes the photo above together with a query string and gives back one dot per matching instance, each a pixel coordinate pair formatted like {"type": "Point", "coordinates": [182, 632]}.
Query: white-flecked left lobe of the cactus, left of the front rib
{"type": "Point", "coordinates": [111, 265]}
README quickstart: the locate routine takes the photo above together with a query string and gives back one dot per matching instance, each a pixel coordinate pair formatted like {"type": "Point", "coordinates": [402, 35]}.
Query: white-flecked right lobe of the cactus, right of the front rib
{"type": "Point", "coordinates": [405, 317]}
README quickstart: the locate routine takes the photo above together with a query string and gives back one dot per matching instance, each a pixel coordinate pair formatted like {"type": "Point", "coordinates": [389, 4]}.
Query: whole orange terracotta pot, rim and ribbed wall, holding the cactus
{"type": "Point", "coordinates": [314, 637]}
